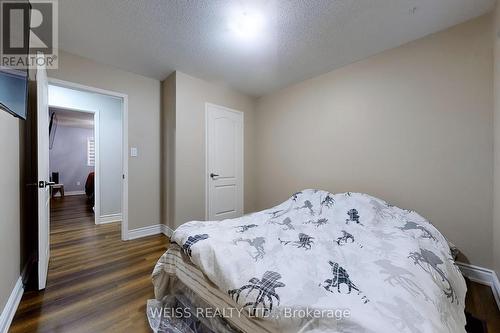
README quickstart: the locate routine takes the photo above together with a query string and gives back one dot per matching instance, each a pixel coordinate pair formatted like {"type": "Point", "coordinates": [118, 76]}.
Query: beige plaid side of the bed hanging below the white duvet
{"type": "Point", "coordinates": [186, 301]}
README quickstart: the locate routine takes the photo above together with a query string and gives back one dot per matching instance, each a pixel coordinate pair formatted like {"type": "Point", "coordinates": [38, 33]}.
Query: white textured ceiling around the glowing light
{"type": "Point", "coordinates": [301, 39]}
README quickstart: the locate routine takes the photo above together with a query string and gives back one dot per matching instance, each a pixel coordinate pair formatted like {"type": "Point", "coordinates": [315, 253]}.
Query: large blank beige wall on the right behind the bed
{"type": "Point", "coordinates": [412, 125]}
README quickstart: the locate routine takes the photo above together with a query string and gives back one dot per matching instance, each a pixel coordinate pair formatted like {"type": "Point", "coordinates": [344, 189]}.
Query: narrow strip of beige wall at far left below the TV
{"type": "Point", "coordinates": [9, 206]}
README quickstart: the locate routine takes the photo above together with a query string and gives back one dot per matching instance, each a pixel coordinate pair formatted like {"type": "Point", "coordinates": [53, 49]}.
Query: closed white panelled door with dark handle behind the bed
{"type": "Point", "coordinates": [224, 162]}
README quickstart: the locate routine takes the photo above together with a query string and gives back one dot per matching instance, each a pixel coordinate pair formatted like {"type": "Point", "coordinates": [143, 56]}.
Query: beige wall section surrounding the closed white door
{"type": "Point", "coordinates": [191, 94]}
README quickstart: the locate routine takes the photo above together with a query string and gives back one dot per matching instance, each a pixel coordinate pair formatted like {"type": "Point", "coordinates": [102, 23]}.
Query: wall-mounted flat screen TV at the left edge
{"type": "Point", "coordinates": [14, 92]}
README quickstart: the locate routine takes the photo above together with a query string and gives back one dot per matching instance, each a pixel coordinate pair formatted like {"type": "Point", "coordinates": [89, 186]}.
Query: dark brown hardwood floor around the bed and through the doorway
{"type": "Point", "coordinates": [97, 283]}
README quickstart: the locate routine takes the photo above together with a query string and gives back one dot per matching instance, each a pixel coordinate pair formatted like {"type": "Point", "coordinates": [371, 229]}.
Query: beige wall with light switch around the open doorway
{"type": "Point", "coordinates": [143, 130]}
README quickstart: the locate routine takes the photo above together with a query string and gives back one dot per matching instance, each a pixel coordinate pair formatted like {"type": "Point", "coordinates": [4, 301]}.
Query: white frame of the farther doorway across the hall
{"type": "Point", "coordinates": [97, 164]}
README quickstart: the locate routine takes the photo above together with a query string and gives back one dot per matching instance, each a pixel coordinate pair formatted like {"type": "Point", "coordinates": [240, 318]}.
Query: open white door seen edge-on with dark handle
{"type": "Point", "coordinates": [43, 174]}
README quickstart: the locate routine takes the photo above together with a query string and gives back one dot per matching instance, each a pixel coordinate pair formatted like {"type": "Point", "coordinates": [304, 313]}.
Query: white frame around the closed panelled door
{"type": "Point", "coordinates": [207, 171]}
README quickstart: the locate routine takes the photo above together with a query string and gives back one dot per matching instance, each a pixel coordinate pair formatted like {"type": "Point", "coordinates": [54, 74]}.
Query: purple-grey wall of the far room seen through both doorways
{"type": "Point", "coordinates": [68, 156]}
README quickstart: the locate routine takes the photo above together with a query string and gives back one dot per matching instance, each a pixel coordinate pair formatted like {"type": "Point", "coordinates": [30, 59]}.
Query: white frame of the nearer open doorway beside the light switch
{"type": "Point", "coordinates": [124, 97]}
